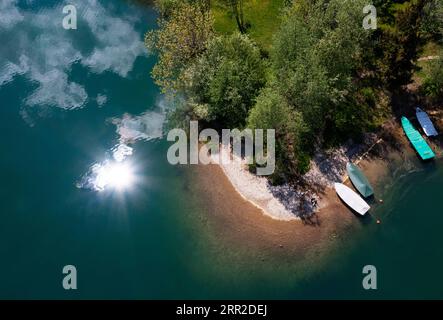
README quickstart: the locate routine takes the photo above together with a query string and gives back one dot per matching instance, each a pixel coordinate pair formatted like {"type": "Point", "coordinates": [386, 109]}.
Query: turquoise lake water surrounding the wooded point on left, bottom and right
{"type": "Point", "coordinates": [70, 100]}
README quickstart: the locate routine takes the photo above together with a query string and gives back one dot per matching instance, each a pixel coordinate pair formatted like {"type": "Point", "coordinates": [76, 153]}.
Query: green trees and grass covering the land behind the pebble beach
{"type": "Point", "coordinates": [306, 68]}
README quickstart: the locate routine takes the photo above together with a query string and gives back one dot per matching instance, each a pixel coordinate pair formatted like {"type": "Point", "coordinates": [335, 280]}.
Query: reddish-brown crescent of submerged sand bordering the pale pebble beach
{"type": "Point", "coordinates": [239, 222]}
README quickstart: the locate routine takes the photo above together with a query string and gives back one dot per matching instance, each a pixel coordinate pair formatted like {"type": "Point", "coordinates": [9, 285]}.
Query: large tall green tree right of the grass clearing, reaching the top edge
{"type": "Point", "coordinates": [316, 56]}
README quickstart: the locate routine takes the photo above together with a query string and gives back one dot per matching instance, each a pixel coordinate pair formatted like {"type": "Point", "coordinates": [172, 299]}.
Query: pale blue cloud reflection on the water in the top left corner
{"type": "Point", "coordinates": [37, 47]}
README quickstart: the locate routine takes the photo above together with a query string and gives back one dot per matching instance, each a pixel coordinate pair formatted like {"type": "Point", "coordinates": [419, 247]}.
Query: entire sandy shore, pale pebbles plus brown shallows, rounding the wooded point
{"type": "Point", "coordinates": [240, 220]}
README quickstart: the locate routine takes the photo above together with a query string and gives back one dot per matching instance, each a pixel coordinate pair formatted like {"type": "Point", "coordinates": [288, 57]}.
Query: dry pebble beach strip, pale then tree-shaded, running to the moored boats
{"type": "Point", "coordinates": [288, 203]}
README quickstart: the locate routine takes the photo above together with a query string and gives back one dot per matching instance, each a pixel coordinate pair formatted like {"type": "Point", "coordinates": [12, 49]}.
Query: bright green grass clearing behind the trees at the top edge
{"type": "Point", "coordinates": [262, 16]}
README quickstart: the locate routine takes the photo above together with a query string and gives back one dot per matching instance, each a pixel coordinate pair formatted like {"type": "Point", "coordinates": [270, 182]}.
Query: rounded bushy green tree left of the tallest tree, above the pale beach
{"type": "Point", "coordinates": [227, 78]}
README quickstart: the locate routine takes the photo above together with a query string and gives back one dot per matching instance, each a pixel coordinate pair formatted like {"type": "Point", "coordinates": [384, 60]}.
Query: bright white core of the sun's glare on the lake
{"type": "Point", "coordinates": [114, 175]}
